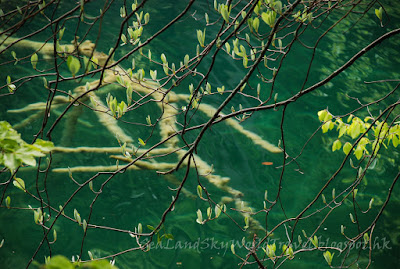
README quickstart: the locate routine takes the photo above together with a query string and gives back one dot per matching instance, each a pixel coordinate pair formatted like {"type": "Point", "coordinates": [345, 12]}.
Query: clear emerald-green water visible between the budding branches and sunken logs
{"type": "Point", "coordinates": [142, 196]}
